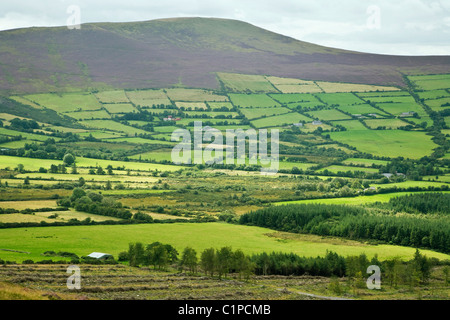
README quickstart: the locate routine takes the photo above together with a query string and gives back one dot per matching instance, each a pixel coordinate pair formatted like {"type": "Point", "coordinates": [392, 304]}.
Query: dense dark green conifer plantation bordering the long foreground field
{"type": "Point", "coordinates": [353, 223]}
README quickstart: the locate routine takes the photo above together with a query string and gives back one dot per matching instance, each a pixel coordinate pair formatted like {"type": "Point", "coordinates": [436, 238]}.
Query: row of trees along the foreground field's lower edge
{"type": "Point", "coordinates": [224, 261]}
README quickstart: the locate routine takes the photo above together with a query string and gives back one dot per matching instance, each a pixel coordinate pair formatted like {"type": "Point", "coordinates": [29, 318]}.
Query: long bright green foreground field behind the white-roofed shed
{"type": "Point", "coordinates": [83, 240]}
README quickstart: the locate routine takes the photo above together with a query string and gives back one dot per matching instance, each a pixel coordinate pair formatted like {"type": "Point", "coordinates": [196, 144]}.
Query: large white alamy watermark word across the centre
{"type": "Point", "coordinates": [207, 145]}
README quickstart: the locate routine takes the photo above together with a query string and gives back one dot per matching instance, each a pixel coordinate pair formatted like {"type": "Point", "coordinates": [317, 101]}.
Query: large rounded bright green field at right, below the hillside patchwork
{"type": "Point", "coordinates": [397, 143]}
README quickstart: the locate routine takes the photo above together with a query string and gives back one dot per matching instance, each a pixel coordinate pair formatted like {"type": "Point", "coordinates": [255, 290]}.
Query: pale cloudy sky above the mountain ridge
{"type": "Point", "coordinates": [399, 27]}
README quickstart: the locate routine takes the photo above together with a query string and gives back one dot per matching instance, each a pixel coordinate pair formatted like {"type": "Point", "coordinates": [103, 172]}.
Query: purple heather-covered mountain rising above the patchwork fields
{"type": "Point", "coordinates": [185, 51]}
